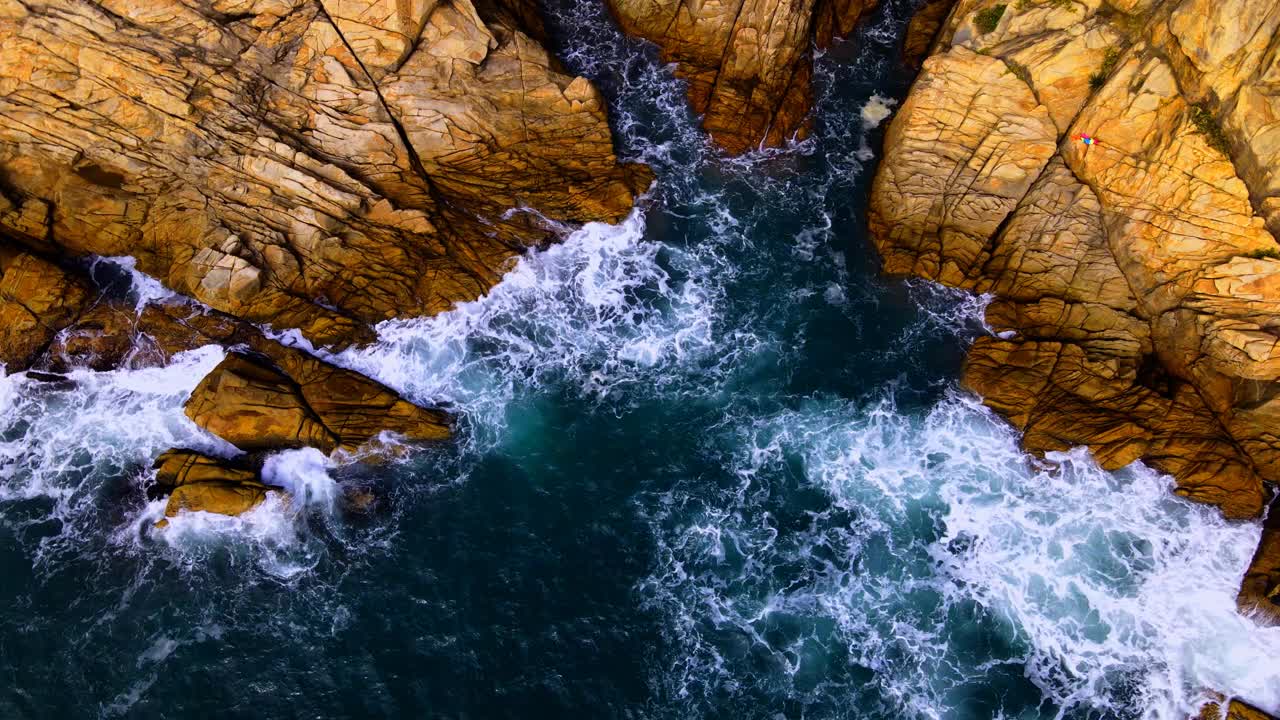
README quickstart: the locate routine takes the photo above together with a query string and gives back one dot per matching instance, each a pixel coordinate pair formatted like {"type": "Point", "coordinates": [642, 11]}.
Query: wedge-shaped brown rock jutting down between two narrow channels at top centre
{"type": "Point", "coordinates": [748, 63]}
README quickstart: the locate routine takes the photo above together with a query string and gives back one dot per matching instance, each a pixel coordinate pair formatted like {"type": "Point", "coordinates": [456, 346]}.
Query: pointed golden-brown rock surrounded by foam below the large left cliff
{"type": "Point", "coordinates": [289, 399]}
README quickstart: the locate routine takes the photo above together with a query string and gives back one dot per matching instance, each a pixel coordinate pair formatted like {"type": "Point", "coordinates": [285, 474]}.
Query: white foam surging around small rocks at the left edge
{"type": "Point", "coordinates": [61, 439]}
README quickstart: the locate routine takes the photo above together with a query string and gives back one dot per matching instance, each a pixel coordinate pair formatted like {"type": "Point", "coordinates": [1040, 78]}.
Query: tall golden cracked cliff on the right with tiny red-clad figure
{"type": "Point", "coordinates": [1136, 286]}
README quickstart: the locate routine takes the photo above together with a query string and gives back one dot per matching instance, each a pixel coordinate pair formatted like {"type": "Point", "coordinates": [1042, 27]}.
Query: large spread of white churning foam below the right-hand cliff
{"type": "Point", "coordinates": [1117, 596]}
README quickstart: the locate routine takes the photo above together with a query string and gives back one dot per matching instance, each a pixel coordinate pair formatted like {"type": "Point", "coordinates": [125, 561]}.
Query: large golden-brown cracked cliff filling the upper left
{"type": "Point", "coordinates": [313, 165]}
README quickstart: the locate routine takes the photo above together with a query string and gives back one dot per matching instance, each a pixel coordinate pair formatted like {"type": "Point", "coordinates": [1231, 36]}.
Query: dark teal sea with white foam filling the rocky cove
{"type": "Point", "coordinates": [710, 466]}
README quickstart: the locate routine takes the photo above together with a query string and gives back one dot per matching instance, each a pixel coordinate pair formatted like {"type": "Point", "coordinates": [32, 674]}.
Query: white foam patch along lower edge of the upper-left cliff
{"type": "Point", "coordinates": [600, 311]}
